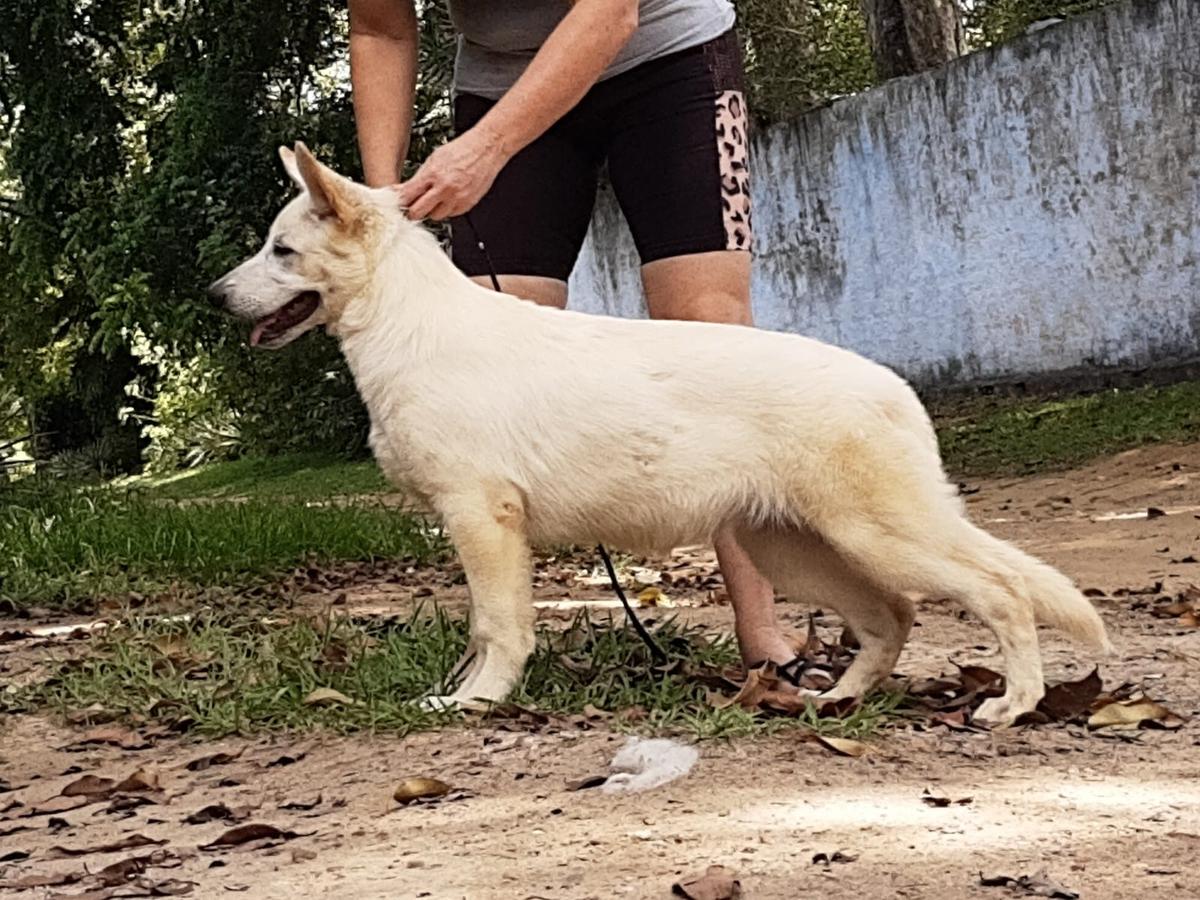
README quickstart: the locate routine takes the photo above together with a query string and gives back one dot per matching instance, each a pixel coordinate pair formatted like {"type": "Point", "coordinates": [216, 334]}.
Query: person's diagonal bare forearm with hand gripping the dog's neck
{"type": "Point", "coordinates": [458, 175]}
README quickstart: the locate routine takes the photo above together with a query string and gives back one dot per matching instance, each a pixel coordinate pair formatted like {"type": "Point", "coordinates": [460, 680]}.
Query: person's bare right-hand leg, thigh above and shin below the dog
{"type": "Point", "coordinates": [716, 287]}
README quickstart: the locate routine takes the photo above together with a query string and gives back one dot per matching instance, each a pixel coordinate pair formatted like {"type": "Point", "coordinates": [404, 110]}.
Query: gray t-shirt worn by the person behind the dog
{"type": "Point", "coordinates": [499, 38]}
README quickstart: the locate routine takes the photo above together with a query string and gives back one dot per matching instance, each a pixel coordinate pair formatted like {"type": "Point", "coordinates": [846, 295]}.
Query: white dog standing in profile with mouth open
{"type": "Point", "coordinates": [524, 425]}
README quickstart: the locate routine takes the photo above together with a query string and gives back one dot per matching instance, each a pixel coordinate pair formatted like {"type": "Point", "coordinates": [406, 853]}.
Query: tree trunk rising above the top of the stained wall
{"type": "Point", "coordinates": [910, 37]}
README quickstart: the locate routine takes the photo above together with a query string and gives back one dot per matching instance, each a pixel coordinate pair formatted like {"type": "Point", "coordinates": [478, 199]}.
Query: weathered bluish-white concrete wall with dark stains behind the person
{"type": "Point", "coordinates": [1030, 209]}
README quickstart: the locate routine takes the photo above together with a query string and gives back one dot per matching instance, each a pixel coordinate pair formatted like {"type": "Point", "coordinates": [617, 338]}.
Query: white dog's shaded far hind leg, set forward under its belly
{"type": "Point", "coordinates": [808, 569]}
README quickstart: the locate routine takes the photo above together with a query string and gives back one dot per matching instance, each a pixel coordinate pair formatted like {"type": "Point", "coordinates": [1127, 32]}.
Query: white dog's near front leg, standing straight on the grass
{"type": "Point", "coordinates": [488, 527]}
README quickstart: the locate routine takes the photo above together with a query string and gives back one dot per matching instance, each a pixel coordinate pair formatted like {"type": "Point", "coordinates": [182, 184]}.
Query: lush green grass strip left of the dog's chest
{"type": "Point", "coordinates": [61, 547]}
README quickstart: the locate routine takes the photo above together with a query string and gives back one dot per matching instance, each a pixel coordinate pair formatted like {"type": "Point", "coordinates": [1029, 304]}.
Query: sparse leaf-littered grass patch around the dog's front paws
{"type": "Point", "coordinates": [221, 674]}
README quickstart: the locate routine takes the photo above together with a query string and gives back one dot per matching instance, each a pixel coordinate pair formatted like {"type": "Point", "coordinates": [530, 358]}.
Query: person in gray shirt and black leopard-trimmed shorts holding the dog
{"type": "Point", "coordinates": [547, 93]}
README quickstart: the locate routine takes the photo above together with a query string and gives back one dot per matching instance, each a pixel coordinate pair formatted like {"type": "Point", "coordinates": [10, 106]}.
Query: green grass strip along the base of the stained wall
{"type": "Point", "coordinates": [1043, 435]}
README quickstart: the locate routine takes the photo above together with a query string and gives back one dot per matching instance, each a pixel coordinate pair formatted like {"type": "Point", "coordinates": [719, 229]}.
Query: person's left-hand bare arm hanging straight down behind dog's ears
{"type": "Point", "coordinates": [383, 77]}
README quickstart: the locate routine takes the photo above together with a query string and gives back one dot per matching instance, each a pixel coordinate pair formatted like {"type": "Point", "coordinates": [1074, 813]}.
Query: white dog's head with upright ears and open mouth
{"type": "Point", "coordinates": [316, 260]}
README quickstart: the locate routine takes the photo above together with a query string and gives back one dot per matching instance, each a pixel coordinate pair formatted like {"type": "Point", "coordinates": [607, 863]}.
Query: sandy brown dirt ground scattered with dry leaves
{"type": "Point", "coordinates": [1105, 814]}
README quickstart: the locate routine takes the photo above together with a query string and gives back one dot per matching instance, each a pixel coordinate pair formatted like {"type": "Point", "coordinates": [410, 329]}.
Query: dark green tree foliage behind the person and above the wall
{"type": "Point", "coordinates": [137, 163]}
